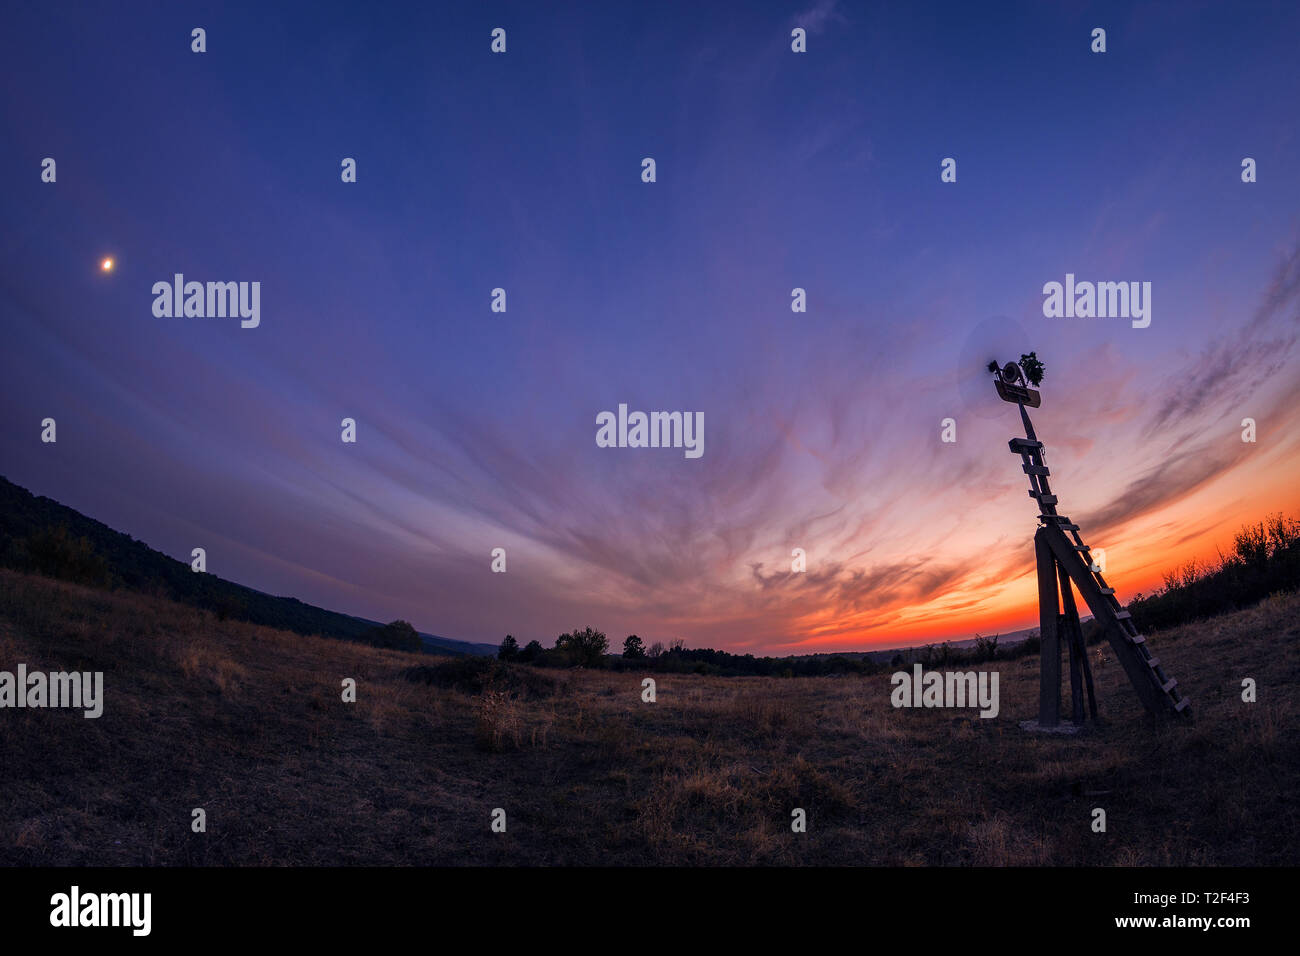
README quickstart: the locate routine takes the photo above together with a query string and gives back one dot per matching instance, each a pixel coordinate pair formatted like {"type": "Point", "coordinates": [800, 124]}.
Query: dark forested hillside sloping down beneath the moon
{"type": "Point", "coordinates": [42, 537]}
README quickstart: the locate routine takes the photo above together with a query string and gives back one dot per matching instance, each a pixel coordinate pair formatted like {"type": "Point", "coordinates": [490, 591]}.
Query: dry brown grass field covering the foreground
{"type": "Point", "coordinates": [249, 724]}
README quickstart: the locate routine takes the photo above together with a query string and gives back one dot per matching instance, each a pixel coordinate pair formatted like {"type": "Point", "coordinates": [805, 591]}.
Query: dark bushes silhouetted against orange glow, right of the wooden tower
{"type": "Point", "coordinates": [1266, 559]}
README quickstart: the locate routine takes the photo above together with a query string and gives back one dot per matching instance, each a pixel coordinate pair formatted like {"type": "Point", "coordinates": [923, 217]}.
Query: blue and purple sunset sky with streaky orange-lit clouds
{"type": "Point", "coordinates": [774, 171]}
